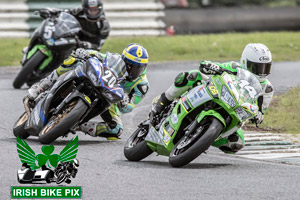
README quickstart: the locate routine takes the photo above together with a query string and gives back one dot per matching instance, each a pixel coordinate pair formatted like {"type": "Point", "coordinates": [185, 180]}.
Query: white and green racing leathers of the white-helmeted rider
{"type": "Point", "coordinates": [187, 80]}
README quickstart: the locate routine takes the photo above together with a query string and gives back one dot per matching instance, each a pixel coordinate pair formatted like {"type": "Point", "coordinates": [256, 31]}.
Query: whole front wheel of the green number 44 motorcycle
{"type": "Point", "coordinates": [190, 147]}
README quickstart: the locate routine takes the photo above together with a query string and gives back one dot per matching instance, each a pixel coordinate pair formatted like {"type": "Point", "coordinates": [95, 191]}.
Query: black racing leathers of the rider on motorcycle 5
{"type": "Point", "coordinates": [93, 34]}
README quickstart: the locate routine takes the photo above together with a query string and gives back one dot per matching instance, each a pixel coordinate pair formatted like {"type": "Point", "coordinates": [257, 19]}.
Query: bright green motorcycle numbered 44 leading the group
{"type": "Point", "coordinates": [190, 124]}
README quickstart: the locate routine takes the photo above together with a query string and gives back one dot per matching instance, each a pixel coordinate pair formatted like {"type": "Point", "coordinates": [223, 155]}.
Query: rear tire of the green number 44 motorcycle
{"type": "Point", "coordinates": [137, 151]}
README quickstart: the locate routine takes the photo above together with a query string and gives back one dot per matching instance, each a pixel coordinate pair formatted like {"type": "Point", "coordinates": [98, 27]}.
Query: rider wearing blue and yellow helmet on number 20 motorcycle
{"type": "Point", "coordinates": [133, 80]}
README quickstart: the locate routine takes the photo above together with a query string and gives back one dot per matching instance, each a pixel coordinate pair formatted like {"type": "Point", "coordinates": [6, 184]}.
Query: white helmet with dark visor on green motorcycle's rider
{"type": "Point", "coordinates": [257, 58]}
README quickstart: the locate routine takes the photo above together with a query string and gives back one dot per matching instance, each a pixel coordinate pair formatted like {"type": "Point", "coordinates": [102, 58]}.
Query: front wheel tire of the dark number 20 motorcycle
{"type": "Point", "coordinates": [59, 126]}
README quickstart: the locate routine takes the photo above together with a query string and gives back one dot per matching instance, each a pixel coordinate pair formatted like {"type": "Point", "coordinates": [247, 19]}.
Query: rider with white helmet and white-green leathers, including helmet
{"type": "Point", "coordinates": [256, 58]}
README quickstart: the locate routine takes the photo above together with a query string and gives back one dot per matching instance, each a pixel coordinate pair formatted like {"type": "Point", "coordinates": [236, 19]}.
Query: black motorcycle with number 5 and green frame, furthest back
{"type": "Point", "coordinates": [51, 43]}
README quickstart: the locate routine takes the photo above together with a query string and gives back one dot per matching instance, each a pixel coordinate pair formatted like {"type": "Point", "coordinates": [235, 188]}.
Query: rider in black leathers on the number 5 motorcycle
{"type": "Point", "coordinates": [95, 26]}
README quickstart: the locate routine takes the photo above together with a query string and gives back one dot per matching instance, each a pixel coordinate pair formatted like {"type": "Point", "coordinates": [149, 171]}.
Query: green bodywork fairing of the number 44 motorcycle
{"type": "Point", "coordinates": [162, 141]}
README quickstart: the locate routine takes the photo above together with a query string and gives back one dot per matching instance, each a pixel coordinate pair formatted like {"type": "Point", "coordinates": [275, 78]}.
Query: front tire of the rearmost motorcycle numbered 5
{"type": "Point", "coordinates": [27, 69]}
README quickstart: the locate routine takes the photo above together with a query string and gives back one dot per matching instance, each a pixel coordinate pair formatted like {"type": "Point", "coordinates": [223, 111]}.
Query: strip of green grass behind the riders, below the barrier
{"type": "Point", "coordinates": [285, 46]}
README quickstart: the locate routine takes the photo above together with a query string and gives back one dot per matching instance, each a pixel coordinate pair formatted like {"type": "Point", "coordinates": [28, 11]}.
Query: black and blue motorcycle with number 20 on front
{"type": "Point", "coordinates": [76, 97]}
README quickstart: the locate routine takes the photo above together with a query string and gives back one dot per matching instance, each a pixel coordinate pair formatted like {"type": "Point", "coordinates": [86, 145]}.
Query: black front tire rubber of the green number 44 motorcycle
{"type": "Point", "coordinates": [201, 143]}
